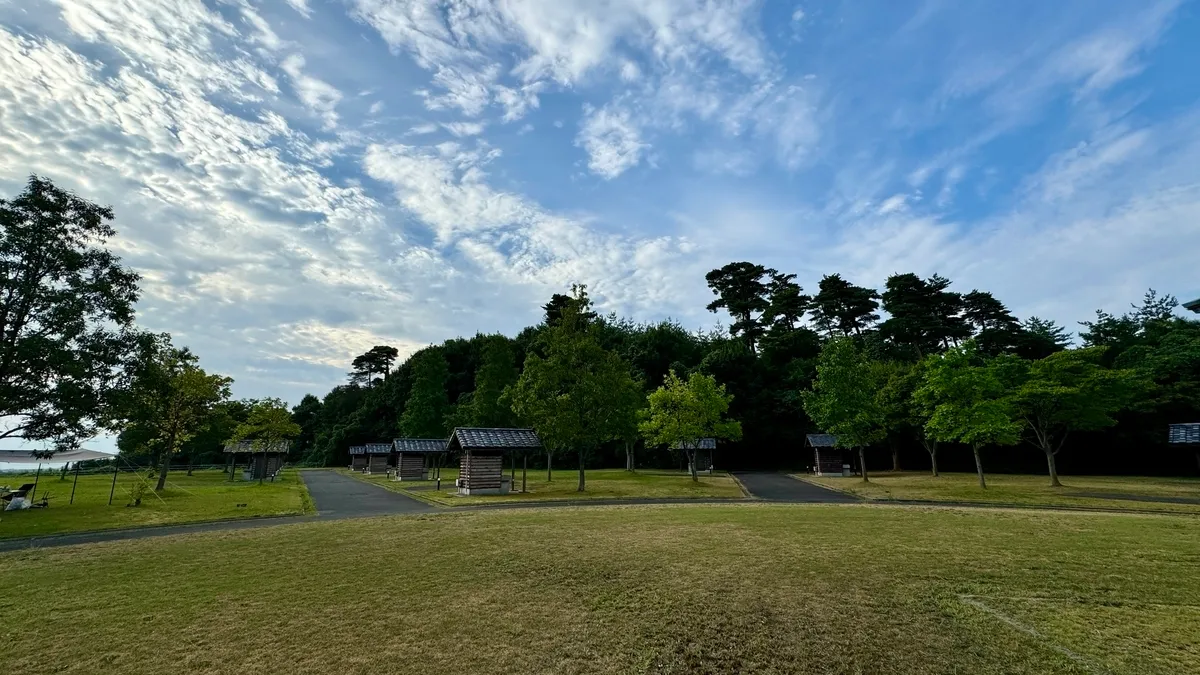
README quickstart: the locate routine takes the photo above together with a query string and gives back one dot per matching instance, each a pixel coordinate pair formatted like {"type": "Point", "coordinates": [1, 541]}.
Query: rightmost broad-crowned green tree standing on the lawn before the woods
{"type": "Point", "coordinates": [1071, 392]}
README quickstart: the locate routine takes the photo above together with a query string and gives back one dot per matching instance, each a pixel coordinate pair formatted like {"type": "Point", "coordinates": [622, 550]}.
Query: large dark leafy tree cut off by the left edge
{"type": "Point", "coordinates": [67, 318]}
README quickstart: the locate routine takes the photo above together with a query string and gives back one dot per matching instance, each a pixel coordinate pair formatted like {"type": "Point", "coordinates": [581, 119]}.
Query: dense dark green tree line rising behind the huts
{"type": "Point", "coordinates": [945, 378]}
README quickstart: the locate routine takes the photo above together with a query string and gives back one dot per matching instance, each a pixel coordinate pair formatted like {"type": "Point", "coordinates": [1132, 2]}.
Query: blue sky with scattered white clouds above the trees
{"type": "Point", "coordinates": [298, 181]}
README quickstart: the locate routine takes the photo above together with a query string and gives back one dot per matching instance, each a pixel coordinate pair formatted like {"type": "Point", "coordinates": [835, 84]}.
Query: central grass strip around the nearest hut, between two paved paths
{"type": "Point", "coordinates": [602, 485]}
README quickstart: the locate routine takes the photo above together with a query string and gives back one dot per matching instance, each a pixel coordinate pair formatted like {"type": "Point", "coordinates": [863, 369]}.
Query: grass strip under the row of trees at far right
{"type": "Point", "coordinates": [1024, 489]}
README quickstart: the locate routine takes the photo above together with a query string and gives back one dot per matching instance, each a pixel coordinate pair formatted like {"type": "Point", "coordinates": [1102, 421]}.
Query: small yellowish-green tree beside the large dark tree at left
{"type": "Point", "coordinates": [171, 398]}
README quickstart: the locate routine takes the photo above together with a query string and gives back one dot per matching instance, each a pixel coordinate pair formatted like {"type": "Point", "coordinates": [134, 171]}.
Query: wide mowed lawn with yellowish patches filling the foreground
{"type": "Point", "coordinates": [746, 588]}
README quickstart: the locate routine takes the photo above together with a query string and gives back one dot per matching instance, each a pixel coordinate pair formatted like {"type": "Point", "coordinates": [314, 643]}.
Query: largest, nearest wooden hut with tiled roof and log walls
{"type": "Point", "coordinates": [482, 457]}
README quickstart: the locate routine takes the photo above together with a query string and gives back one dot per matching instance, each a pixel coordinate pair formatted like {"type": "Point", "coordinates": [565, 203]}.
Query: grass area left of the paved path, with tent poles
{"type": "Point", "coordinates": [206, 495]}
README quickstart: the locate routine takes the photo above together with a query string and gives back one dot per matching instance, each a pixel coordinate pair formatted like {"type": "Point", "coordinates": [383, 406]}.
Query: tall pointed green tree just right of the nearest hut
{"type": "Point", "coordinates": [568, 395]}
